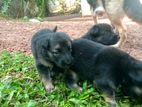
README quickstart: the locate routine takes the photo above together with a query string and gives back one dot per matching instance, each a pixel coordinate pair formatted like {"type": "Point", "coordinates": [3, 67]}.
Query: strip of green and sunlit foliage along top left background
{"type": "Point", "coordinates": [36, 8]}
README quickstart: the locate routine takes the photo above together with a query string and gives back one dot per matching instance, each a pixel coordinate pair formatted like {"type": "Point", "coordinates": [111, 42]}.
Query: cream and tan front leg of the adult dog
{"type": "Point", "coordinates": [115, 13]}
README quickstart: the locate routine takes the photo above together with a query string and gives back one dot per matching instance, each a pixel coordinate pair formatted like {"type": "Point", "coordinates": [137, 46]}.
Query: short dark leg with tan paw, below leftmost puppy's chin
{"type": "Point", "coordinates": [71, 80]}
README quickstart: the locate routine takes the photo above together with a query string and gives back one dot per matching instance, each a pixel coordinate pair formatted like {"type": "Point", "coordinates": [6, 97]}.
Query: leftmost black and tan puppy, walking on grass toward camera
{"type": "Point", "coordinates": [51, 50]}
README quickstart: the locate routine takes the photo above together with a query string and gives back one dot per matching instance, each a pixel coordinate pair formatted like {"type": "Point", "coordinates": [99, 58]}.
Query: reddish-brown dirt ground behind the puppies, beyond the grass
{"type": "Point", "coordinates": [16, 35]}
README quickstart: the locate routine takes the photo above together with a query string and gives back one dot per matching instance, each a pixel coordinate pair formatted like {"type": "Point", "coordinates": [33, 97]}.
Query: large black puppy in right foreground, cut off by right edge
{"type": "Point", "coordinates": [107, 68]}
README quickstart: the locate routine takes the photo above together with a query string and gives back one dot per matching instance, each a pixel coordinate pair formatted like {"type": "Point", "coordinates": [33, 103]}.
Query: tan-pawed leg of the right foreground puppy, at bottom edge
{"type": "Point", "coordinates": [106, 88]}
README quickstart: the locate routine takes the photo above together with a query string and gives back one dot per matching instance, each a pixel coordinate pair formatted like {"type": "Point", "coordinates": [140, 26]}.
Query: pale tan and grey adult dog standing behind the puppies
{"type": "Point", "coordinates": [116, 10]}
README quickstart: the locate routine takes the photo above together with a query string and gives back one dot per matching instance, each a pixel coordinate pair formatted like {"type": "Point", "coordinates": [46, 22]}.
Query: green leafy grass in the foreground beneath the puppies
{"type": "Point", "coordinates": [20, 87]}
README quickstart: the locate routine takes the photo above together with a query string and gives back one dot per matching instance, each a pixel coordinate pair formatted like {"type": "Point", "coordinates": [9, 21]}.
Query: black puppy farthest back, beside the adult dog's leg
{"type": "Point", "coordinates": [102, 33]}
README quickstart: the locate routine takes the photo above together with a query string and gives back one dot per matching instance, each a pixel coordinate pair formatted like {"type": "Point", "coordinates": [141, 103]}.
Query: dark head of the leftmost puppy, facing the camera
{"type": "Point", "coordinates": [59, 50]}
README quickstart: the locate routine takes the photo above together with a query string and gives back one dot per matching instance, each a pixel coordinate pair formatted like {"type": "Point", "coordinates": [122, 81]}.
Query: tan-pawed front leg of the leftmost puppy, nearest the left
{"type": "Point", "coordinates": [44, 73]}
